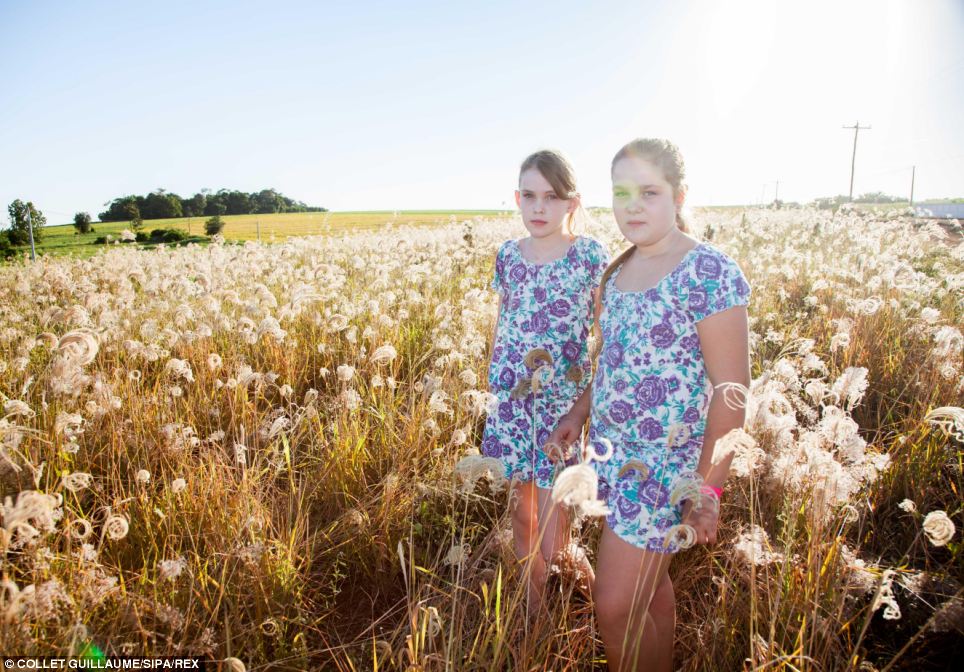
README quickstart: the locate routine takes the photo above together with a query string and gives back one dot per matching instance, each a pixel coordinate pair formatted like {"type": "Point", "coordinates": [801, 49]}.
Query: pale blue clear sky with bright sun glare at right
{"type": "Point", "coordinates": [407, 105]}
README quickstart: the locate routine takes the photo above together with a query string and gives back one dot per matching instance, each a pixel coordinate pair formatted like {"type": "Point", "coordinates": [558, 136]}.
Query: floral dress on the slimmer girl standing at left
{"type": "Point", "coordinates": [547, 306]}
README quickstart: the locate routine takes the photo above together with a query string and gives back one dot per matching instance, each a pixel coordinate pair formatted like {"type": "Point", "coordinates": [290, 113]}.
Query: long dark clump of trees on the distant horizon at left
{"type": "Point", "coordinates": [163, 204]}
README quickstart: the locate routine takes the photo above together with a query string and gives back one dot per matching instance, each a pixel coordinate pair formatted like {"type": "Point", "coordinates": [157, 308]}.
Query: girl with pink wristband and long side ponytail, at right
{"type": "Point", "coordinates": [674, 326]}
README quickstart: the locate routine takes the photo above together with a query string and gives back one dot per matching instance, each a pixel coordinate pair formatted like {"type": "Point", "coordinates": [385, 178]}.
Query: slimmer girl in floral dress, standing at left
{"type": "Point", "coordinates": [540, 361]}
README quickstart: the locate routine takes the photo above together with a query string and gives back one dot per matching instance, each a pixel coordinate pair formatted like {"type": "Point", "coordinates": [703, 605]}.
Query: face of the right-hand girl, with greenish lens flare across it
{"type": "Point", "coordinates": [643, 201]}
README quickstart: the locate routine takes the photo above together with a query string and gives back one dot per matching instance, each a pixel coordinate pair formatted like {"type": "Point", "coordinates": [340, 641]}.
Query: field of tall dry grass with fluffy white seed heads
{"type": "Point", "coordinates": [268, 455]}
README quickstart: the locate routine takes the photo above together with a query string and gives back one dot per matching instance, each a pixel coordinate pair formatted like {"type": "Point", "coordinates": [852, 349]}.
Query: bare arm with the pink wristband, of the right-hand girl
{"type": "Point", "coordinates": [724, 341]}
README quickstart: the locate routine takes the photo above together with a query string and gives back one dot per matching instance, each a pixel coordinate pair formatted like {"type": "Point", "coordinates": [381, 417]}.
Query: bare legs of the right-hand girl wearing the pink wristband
{"type": "Point", "coordinates": [636, 626]}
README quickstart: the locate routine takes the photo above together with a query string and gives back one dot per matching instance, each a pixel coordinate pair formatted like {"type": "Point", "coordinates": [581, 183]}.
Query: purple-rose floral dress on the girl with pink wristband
{"type": "Point", "coordinates": [651, 393]}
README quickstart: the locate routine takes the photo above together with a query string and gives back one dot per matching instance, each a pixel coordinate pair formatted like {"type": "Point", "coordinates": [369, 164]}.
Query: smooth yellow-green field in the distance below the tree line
{"type": "Point", "coordinates": [63, 239]}
